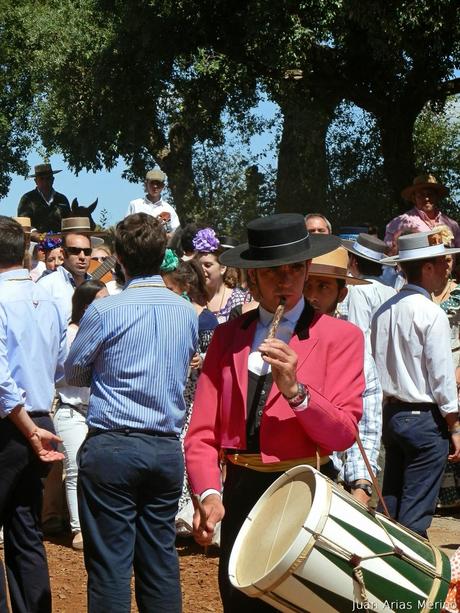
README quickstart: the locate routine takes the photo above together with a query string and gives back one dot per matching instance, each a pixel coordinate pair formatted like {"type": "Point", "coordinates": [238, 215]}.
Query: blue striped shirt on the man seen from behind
{"type": "Point", "coordinates": [134, 350]}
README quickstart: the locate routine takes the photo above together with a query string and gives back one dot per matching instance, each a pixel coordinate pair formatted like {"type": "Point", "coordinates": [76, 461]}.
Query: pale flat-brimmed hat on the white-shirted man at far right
{"type": "Point", "coordinates": [420, 246]}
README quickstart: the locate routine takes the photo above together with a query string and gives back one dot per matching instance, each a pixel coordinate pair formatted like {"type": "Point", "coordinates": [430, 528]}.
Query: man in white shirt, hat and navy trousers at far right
{"type": "Point", "coordinates": [410, 340]}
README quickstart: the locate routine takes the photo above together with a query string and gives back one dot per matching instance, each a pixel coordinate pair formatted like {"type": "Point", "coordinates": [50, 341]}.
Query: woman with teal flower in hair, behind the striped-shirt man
{"type": "Point", "coordinates": [186, 279]}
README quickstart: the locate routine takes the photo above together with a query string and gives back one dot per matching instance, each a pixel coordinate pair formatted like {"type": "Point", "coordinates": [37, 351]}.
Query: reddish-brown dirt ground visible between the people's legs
{"type": "Point", "coordinates": [198, 571]}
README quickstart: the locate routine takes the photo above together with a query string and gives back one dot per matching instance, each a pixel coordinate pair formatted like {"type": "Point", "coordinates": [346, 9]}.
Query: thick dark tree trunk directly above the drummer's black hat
{"type": "Point", "coordinates": [302, 178]}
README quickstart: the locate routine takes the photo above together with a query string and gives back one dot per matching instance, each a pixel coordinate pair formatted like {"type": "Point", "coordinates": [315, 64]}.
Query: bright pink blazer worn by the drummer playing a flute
{"type": "Point", "coordinates": [330, 363]}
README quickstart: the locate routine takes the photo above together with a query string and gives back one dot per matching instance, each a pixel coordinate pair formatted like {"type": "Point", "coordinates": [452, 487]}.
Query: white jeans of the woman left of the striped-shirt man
{"type": "Point", "coordinates": [71, 427]}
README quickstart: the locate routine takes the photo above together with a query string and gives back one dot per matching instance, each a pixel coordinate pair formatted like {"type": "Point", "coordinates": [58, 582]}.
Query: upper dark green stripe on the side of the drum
{"type": "Point", "coordinates": [418, 577]}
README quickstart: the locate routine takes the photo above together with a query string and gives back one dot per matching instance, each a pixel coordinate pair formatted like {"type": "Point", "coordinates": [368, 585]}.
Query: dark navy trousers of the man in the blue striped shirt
{"type": "Point", "coordinates": [129, 486]}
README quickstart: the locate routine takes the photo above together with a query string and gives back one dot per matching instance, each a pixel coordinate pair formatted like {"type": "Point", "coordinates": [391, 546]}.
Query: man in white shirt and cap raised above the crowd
{"type": "Point", "coordinates": [153, 204]}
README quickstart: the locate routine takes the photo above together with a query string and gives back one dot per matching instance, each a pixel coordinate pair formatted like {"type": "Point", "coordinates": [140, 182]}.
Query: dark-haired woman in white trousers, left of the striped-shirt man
{"type": "Point", "coordinates": [70, 417]}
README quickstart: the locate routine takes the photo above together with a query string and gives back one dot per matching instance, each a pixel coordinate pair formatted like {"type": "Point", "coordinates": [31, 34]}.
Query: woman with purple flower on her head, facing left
{"type": "Point", "coordinates": [221, 281]}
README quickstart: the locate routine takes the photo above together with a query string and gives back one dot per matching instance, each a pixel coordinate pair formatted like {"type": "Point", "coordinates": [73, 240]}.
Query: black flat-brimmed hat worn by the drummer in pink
{"type": "Point", "coordinates": [276, 240]}
